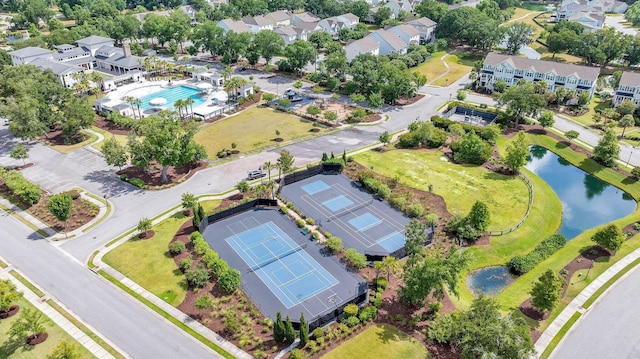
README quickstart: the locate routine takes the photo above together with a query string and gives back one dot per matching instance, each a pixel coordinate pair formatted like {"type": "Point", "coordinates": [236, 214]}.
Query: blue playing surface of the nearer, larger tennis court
{"type": "Point", "coordinates": [284, 267]}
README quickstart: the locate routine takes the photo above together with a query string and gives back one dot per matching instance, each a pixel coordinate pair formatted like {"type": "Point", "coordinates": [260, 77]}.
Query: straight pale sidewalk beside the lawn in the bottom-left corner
{"type": "Point", "coordinates": [42, 305]}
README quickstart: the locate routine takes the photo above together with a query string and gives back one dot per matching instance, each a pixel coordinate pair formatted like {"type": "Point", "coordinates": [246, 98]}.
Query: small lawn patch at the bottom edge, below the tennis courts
{"type": "Point", "coordinates": [380, 341]}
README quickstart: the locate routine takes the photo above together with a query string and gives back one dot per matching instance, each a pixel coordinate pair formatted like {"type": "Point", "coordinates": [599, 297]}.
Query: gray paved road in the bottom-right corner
{"type": "Point", "coordinates": [609, 330]}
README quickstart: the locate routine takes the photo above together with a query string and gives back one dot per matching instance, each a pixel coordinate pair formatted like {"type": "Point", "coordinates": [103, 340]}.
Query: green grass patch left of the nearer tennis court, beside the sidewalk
{"type": "Point", "coordinates": [148, 263]}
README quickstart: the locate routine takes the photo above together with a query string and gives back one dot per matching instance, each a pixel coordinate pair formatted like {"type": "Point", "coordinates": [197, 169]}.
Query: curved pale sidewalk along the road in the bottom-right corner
{"type": "Point", "coordinates": [576, 304]}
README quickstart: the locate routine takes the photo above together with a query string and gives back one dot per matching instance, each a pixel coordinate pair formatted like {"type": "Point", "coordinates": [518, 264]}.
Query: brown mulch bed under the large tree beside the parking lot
{"type": "Point", "coordinates": [153, 176]}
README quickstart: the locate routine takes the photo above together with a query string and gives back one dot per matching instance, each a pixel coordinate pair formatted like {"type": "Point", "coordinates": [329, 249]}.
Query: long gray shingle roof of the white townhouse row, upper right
{"type": "Point", "coordinates": [521, 63]}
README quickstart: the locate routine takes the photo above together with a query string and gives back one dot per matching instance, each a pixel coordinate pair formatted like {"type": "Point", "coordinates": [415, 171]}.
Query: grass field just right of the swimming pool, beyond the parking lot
{"type": "Point", "coordinates": [252, 129]}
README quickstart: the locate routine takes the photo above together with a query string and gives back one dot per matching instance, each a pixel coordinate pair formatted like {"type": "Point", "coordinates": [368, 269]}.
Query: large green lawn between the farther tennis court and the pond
{"type": "Point", "coordinates": [460, 185]}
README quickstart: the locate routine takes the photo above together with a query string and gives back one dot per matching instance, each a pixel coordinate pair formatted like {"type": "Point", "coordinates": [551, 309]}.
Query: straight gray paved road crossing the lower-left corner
{"type": "Point", "coordinates": [126, 322]}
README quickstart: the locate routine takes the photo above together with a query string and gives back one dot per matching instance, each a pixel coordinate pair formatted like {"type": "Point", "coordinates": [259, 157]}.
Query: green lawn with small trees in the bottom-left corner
{"type": "Point", "coordinates": [10, 349]}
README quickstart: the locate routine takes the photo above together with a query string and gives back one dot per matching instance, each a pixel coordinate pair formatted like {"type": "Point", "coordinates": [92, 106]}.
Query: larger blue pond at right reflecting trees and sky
{"type": "Point", "coordinates": [587, 202]}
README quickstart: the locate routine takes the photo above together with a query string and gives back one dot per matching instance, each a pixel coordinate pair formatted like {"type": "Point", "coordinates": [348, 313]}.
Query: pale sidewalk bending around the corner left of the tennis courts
{"type": "Point", "coordinates": [166, 307]}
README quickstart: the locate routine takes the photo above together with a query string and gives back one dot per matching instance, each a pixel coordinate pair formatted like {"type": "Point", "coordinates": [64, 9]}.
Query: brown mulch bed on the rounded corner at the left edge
{"type": "Point", "coordinates": [82, 211]}
